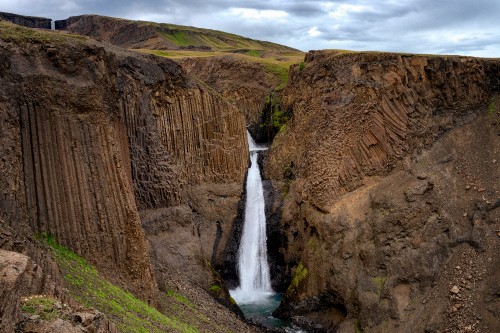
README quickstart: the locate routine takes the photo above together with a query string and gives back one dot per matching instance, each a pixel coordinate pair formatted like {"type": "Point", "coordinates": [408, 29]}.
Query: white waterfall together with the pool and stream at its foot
{"type": "Point", "coordinates": [255, 296]}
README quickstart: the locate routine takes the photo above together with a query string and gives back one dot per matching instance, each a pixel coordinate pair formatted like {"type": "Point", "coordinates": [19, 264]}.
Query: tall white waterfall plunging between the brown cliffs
{"type": "Point", "coordinates": [255, 281]}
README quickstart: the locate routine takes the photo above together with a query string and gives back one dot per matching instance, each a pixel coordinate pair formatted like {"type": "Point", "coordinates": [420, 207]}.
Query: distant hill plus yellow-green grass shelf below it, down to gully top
{"type": "Point", "coordinates": [180, 42]}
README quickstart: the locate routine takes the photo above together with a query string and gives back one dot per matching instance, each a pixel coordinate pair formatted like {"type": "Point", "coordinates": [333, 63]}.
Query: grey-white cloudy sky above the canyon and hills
{"type": "Point", "coordinates": [468, 27]}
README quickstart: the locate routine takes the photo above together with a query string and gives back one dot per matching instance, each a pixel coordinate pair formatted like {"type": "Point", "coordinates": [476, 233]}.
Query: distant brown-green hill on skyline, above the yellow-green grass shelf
{"type": "Point", "coordinates": [162, 36]}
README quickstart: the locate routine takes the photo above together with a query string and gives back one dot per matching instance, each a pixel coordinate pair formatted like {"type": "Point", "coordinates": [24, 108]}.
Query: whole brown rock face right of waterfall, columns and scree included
{"type": "Point", "coordinates": [389, 168]}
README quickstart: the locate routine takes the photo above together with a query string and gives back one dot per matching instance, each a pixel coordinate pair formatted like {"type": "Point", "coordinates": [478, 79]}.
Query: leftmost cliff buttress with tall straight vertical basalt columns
{"type": "Point", "coordinates": [72, 155]}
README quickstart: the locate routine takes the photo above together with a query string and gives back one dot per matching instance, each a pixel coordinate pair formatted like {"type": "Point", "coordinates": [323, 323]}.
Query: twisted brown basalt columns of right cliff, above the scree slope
{"type": "Point", "coordinates": [366, 114]}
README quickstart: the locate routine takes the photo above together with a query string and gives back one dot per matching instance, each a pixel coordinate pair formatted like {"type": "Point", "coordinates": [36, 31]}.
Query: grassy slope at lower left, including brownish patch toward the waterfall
{"type": "Point", "coordinates": [129, 314]}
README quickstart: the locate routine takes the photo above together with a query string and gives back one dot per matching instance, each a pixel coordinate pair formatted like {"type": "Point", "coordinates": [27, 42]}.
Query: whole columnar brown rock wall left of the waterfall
{"type": "Point", "coordinates": [93, 135]}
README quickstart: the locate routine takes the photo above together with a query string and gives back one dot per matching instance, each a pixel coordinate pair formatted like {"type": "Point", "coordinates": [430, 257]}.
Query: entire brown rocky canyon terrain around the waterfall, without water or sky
{"type": "Point", "coordinates": [381, 178]}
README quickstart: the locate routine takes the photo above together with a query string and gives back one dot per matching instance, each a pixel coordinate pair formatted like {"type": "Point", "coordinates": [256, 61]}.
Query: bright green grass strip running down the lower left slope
{"type": "Point", "coordinates": [130, 314]}
